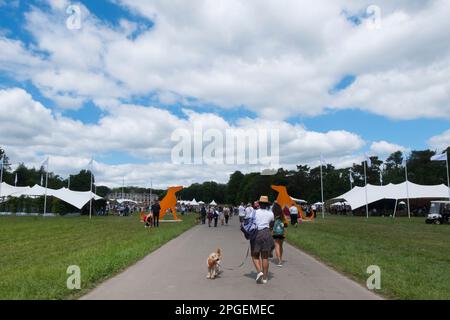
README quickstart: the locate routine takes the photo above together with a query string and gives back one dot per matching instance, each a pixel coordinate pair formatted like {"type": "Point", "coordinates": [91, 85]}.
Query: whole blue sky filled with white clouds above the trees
{"type": "Point", "coordinates": [115, 80]}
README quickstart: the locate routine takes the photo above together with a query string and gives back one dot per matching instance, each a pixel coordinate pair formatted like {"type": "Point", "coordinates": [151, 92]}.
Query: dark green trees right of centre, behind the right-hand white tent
{"type": "Point", "coordinates": [304, 182]}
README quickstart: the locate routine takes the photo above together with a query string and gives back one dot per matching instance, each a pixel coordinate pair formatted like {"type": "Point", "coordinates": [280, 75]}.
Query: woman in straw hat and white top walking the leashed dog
{"type": "Point", "coordinates": [263, 243]}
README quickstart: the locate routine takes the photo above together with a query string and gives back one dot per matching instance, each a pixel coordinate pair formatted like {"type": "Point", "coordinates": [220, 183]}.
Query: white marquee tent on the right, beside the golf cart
{"type": "Point", "coordinates": [356, 197]}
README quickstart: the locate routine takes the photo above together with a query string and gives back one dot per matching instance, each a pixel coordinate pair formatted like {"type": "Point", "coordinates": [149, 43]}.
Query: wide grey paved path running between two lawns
{"type": "Point", "coordinates": [178, 270]}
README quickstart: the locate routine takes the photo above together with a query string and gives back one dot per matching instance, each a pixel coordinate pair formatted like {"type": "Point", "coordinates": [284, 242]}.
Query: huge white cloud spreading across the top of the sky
{"type": "Point", "coordinates": [277, 58]}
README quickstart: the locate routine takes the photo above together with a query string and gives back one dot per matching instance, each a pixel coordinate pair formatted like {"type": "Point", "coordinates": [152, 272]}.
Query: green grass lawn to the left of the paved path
{"type": "Point", "coordinates": [35, 252]}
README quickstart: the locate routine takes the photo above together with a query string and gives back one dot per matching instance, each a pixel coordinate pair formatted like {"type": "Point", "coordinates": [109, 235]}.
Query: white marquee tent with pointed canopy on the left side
{"type": "Point", "coordinates": [76, 198]}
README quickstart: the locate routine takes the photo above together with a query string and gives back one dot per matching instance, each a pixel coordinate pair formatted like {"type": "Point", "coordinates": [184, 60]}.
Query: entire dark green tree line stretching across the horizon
{"type": "Point", "coordinates": [303, 182]}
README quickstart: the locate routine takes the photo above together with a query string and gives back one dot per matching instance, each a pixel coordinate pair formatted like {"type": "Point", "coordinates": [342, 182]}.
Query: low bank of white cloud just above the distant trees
{"type": "Point", "coordinates": [32, 131]}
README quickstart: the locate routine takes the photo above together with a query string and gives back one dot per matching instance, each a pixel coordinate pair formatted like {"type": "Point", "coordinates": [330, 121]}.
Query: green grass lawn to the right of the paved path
{"type": "Point", "coordinates": [414, 257]}
